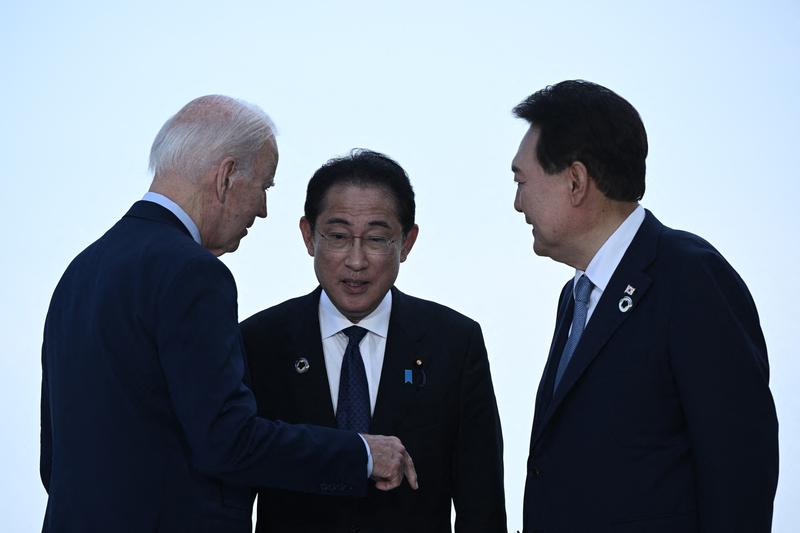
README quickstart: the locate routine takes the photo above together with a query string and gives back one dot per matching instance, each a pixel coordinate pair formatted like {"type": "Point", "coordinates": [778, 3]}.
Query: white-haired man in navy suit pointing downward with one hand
{"type": "Point", "coordinates": [146, 424]}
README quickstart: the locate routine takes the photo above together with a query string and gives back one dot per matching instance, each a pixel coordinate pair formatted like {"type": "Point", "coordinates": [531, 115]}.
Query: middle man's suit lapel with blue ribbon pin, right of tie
{"type": "Point", "coordinates": [403, 345]}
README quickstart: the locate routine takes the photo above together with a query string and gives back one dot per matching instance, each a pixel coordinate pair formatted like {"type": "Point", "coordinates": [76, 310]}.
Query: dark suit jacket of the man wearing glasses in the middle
{"type": "Point", "coordinates": [447, 419]}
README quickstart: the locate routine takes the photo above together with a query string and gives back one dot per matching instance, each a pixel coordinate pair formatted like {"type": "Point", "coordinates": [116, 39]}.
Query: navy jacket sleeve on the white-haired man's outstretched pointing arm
{"type": "Point", "coordinates": [201, 355]}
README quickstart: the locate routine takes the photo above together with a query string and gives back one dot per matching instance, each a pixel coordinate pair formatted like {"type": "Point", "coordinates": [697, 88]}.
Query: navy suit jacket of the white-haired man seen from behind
{"type": "Point", "coordinates": [146, 425]}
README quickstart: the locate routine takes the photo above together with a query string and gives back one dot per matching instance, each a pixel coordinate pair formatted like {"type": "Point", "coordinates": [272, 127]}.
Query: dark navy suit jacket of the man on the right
{"type": "Point", "coordinates": [663, 421]}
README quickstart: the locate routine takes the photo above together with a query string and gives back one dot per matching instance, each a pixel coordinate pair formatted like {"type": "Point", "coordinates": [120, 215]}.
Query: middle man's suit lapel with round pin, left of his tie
{"type": "Point", "coordinates": [311, 389]}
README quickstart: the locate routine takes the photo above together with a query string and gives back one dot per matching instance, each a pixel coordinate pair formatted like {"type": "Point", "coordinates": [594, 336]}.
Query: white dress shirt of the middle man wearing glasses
{"type": "Point", "coordinates": [372, 346]}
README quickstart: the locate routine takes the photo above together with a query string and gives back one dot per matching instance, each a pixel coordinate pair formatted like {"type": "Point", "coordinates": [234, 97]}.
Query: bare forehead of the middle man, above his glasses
{"type": "Point", "coordinates": [347, 200]}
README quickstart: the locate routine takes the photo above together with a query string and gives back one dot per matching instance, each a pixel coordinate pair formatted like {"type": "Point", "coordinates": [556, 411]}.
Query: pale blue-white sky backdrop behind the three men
{"type": "Point", "coordinates": [86, 85]}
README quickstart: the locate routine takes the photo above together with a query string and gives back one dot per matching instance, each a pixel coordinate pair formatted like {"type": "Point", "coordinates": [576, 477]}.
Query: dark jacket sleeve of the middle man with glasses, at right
{"type": "Point", "coordinates": [478, 494]}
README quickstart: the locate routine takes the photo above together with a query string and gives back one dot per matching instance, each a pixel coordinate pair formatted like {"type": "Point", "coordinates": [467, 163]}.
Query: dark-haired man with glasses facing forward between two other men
{"type": "Point", "coordinates": [358, 353]}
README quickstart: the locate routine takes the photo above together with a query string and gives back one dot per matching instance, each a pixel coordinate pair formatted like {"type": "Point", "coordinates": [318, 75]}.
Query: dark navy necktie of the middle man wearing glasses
{"type": "Point", "coordinates": [352, 409]}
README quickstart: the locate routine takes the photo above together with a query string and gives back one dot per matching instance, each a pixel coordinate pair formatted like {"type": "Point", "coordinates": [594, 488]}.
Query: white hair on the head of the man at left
{"type": "Point", "coordinates": [207, 130]}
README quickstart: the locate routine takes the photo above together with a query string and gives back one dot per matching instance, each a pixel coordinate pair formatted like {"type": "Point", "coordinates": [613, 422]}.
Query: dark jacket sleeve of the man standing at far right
{"type": "Point", "coordinates": [719, 360]}
